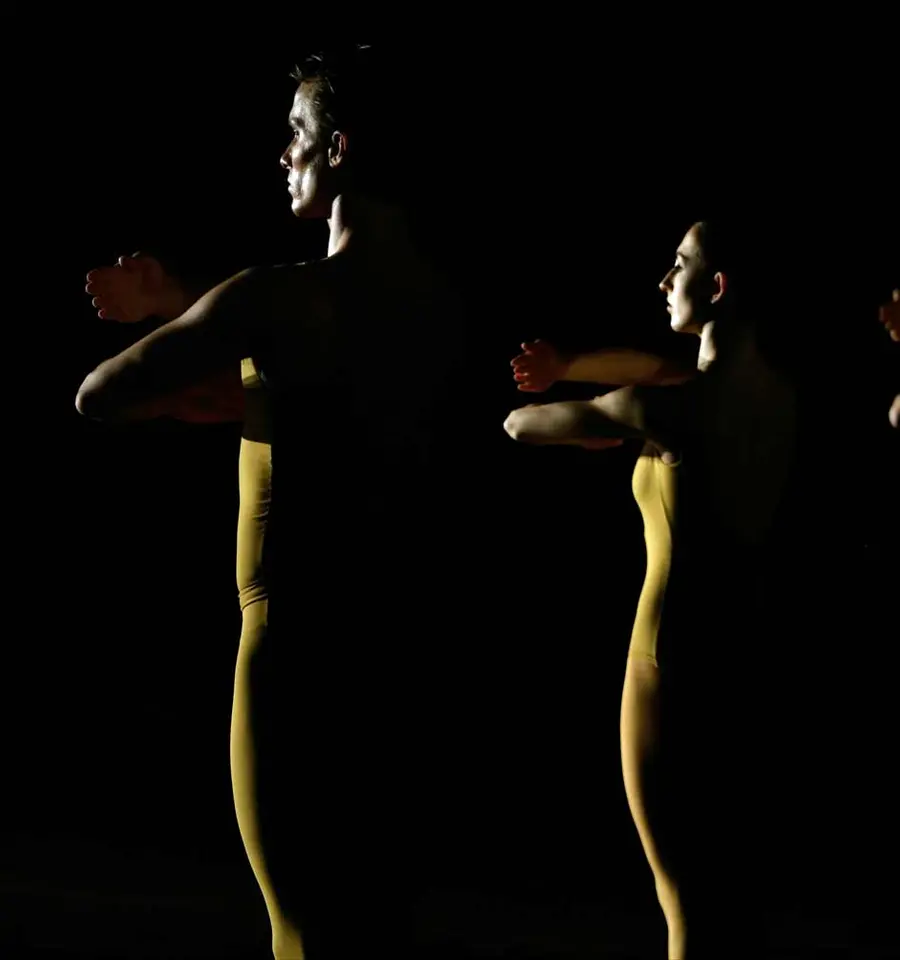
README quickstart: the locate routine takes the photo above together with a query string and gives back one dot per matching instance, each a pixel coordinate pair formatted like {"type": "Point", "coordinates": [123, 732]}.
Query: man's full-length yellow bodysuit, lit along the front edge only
{"type": "Point", "coordinates": [339, 548]}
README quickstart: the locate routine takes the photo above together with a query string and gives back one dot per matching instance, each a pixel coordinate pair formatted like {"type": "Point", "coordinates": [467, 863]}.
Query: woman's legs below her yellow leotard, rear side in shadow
{"type": "Point", "coordinates": [691, 792]}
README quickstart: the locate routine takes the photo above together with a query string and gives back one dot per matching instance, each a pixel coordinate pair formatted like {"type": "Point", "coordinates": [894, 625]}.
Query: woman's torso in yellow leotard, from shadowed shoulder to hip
{"type": "Point", "coordinates": [711, 518]}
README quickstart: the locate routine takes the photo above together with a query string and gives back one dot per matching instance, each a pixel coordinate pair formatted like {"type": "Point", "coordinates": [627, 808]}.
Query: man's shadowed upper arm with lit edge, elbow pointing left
{"type": "Point", "coordinates": [215, 332]}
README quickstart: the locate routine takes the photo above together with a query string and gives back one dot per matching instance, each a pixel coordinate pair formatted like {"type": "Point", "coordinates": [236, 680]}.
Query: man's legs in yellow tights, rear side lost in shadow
{"type": "Point", "coordinates": [319, 799]}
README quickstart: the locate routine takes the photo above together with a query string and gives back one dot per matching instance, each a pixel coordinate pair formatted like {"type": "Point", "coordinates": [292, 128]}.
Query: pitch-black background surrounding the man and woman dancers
{"type": "Point", "coordinates": [564, 170]}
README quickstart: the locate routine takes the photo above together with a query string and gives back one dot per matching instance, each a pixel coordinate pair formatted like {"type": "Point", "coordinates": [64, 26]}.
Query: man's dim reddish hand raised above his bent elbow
{"type": "Point", "coordinates": [134, 289]}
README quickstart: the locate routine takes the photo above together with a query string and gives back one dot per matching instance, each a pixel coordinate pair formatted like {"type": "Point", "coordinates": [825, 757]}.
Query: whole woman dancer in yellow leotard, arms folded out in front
{"type": "Point", "coordinates": [709, 480]}
